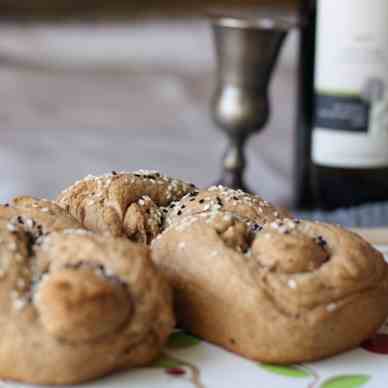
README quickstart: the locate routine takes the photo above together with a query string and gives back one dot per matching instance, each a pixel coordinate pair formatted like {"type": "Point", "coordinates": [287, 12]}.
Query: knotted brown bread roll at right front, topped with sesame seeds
{"type": "Point", "coordinates": [287, 292]}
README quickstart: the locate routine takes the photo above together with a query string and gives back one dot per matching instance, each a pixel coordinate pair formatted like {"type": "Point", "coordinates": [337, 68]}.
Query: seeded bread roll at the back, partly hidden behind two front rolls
{"type": "Point", "coordinates": [131, 205]}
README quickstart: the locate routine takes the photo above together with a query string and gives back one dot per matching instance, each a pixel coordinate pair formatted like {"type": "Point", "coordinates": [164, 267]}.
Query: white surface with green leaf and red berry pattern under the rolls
{"type": "Point", "coordinates": [189, 362]}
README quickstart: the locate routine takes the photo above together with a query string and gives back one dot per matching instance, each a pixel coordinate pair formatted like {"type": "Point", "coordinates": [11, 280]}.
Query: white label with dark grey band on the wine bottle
{"type": "Point", "coordinates": [351, 84]}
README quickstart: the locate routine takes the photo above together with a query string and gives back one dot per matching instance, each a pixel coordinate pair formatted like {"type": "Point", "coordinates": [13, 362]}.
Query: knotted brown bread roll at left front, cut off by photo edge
{"type": "Point", "coordinates": [74, 305]}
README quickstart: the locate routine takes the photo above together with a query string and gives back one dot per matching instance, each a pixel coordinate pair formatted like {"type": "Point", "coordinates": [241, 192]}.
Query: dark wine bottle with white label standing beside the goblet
{"type": "Point", "coordinates": [343, 111]}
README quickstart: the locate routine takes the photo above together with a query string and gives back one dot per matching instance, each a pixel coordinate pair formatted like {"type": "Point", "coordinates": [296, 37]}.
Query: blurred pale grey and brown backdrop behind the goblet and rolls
{"type": "Point", "coordinates": [92, 86]}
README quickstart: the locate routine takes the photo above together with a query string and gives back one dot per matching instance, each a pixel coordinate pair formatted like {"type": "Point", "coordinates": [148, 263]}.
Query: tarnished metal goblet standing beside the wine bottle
{"type": "Point", "coordinates": [247, 48]}
